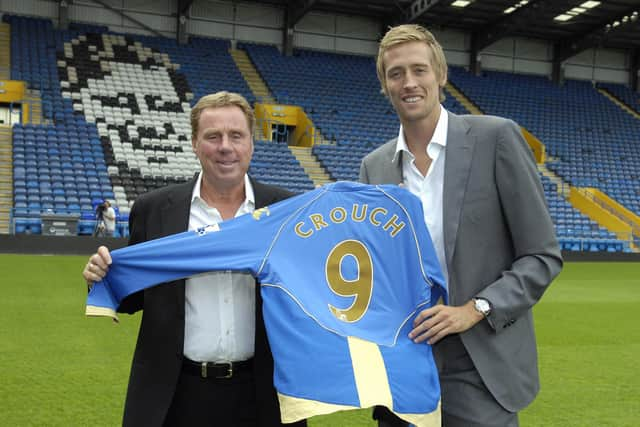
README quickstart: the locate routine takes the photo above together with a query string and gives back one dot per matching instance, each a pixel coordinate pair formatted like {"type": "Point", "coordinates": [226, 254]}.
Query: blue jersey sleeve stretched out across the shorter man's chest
{"type": "Point", "coordinates": [240, 244]}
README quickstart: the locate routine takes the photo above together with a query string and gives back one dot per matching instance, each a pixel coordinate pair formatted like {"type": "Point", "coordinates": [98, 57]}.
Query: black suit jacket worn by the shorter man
{"type": "Point", "coordinates": [158, 355]}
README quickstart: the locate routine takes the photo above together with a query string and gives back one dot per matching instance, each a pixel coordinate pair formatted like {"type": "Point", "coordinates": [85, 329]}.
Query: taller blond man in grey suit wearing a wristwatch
{"type": "Point", "coordinates": [486, 212]}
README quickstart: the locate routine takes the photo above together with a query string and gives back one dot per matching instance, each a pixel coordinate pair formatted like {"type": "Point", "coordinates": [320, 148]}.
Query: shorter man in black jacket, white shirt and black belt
{"type": "Point", "coordinates": [202, 356]}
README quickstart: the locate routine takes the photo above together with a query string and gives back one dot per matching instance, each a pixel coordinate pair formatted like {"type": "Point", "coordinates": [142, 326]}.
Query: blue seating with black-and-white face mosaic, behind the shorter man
{"type": "Point", "coordinates": [115, 131]}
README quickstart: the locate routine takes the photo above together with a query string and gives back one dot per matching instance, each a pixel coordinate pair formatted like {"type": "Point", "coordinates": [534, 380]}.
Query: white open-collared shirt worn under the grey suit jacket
{"type": "Point", "coordinates": [429, 188]}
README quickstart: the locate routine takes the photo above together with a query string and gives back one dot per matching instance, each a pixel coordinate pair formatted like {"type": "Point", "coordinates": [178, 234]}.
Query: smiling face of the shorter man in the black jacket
{"type": "Point", "coordinates": [224, 145]}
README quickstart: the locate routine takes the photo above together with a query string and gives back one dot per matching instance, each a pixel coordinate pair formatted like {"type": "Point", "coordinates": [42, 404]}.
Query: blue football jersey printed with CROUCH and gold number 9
{"type": "Point", "coordinates": [343, 270]}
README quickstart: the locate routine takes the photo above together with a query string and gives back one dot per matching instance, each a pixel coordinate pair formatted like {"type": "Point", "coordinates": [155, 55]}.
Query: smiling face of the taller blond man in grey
{"type": "Point", "coordinates": [411, 81]}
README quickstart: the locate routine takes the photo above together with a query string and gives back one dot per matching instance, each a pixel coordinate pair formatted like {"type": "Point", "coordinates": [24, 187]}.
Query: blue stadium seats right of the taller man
{"type": "Point", "coordinates": [590, 140]}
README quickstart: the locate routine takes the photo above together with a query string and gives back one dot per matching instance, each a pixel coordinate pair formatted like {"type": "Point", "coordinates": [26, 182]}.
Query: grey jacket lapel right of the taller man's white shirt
{"type": "Point", "coordinates": [456, 172]}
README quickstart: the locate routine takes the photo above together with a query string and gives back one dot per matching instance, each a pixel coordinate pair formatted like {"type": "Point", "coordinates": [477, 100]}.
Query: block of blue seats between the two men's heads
{"type": "Point", "coordinates": [342, 95]}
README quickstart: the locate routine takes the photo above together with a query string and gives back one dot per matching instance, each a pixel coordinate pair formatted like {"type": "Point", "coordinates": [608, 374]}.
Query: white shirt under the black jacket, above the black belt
{"type": "Point", "coordinates": [219, 314]}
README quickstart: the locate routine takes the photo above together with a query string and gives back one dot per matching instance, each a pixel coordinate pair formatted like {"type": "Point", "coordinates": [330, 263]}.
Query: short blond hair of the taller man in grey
{"type": "Point", "coordinates": [411, 33]}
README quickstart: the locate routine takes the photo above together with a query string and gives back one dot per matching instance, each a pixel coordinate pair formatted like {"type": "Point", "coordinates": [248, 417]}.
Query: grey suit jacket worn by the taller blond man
{"type": "Point", "coordinates": [500, 244]}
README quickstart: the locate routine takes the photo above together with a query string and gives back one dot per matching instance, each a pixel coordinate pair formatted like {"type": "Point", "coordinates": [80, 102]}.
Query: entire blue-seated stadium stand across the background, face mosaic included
{"type": "Point", "coordinates": [115, 131]}
